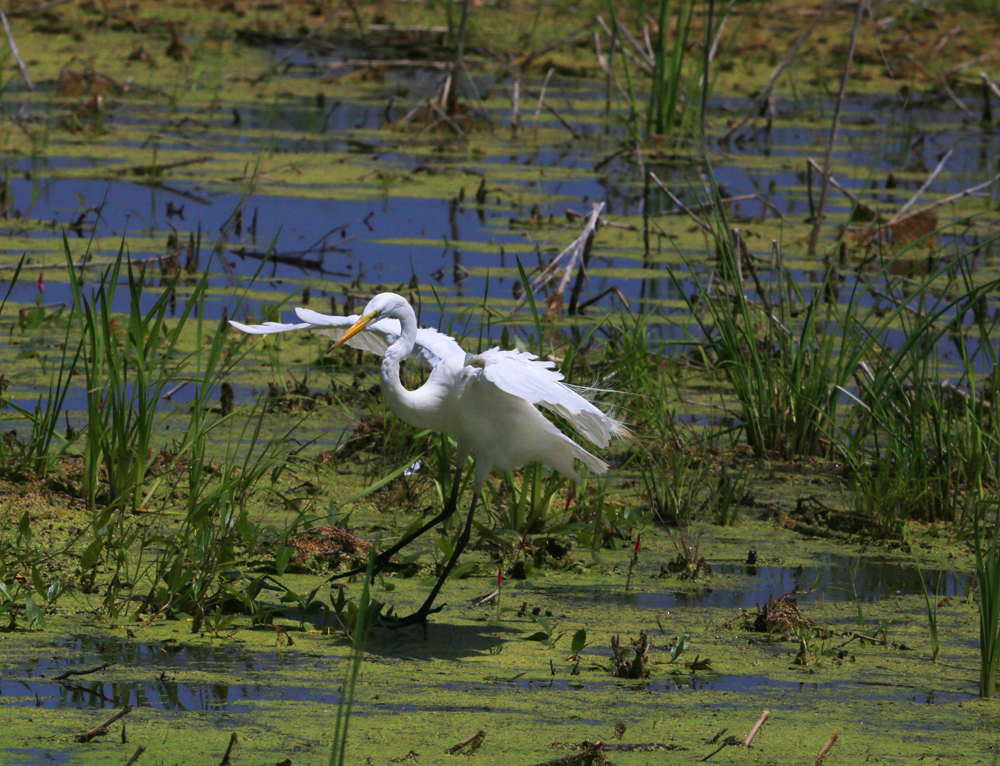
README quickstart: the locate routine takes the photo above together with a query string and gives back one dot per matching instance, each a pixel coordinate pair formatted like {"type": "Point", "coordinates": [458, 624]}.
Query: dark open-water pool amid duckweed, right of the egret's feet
{"type": "Point", "coordinates": [836, 578]}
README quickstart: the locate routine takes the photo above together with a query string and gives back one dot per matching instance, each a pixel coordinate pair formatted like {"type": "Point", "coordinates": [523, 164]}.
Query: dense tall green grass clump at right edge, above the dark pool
{"type": "Point", "coordinates": [927, 444]}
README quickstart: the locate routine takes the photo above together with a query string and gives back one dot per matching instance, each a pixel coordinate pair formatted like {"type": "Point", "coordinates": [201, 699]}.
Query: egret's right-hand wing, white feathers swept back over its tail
{"type": "Point", "coordinates": [526, 376]}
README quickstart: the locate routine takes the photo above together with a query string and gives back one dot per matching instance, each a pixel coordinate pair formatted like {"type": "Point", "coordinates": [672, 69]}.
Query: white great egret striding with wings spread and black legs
{"type": "Point", "coordinates": [488, 403]}
